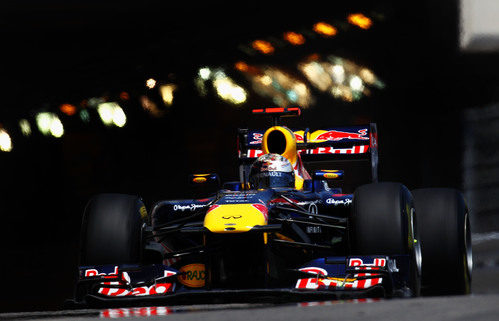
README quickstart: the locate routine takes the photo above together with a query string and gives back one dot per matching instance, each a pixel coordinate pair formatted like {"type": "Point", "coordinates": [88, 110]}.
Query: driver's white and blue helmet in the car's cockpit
{"type": "Point", "coordinates": [271, 170]}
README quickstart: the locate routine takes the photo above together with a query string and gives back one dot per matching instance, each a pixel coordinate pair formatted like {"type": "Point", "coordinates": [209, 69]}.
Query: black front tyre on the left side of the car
{"type": "Point", "coordinates": [112, 230]}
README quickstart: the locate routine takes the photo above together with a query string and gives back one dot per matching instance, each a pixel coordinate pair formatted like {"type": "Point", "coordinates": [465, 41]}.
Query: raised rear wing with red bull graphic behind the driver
{"type": "Point", "coordinates": [353, 149]}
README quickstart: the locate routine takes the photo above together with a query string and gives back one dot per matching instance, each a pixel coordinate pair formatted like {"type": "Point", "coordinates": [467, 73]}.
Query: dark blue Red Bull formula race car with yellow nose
{"type": "Point", "coordinates": [307, 220]}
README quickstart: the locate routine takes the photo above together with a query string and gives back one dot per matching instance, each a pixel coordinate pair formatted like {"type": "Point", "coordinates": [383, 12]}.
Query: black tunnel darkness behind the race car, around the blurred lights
{"type": "Point", "coordinates": [67, 51]}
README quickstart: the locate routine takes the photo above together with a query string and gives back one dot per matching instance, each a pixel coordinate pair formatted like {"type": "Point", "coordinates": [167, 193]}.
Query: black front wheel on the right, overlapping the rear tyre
{"type": "Point", "coordinates": [383, 222]}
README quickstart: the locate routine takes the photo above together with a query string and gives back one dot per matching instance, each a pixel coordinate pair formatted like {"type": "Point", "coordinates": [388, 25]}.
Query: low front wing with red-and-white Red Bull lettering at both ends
{"type": "Point", "coordinates": [321, 279]}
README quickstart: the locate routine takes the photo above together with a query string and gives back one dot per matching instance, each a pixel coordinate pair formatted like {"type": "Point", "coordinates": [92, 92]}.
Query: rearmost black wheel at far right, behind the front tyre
{"type": "Point", "coordinates": [444, 226]}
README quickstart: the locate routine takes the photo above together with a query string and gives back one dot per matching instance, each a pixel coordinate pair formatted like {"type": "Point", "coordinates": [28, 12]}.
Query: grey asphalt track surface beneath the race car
{"type": "Point", "coordinates": [483, 304]}
